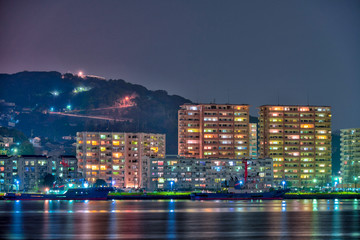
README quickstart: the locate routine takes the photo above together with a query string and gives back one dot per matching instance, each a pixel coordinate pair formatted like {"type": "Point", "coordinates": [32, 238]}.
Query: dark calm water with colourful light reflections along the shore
{"type": "Point", "coordinates": [166, 219]}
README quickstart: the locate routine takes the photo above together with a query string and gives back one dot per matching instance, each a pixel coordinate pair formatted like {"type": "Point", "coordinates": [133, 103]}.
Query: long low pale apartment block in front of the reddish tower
{"type": "Point", "coordinates": [173, 173]}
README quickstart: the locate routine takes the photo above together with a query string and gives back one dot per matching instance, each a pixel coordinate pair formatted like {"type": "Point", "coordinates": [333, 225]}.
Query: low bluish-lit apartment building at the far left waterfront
{"type": "Point", "coordinates": [27, 172]}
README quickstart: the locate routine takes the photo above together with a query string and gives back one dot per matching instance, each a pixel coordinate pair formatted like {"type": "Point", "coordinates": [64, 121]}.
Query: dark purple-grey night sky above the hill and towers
{"type": "Point", "coordinates": [245, 51]}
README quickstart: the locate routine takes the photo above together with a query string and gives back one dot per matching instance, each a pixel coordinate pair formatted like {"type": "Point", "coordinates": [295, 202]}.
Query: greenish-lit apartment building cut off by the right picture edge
{"type": "Point", "coordinates": [350, 156]}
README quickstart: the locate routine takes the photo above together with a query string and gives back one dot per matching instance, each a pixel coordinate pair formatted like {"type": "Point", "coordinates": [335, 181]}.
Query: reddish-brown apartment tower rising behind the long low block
{"type": "Point", "coordinates": [213, 131]}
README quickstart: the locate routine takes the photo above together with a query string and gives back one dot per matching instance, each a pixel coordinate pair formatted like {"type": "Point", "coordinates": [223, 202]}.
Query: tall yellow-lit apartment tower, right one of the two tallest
{"type": "Point", "coordinates": [298, 139]}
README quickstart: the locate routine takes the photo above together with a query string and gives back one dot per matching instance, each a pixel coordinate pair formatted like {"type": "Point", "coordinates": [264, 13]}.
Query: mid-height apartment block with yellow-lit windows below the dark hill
{"type": "Point", "coordinates": [115, 156]}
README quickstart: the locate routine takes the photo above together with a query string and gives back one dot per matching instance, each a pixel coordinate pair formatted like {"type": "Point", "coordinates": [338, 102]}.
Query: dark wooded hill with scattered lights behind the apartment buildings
{"type": "Point", "coordinates": [54, 105]}
